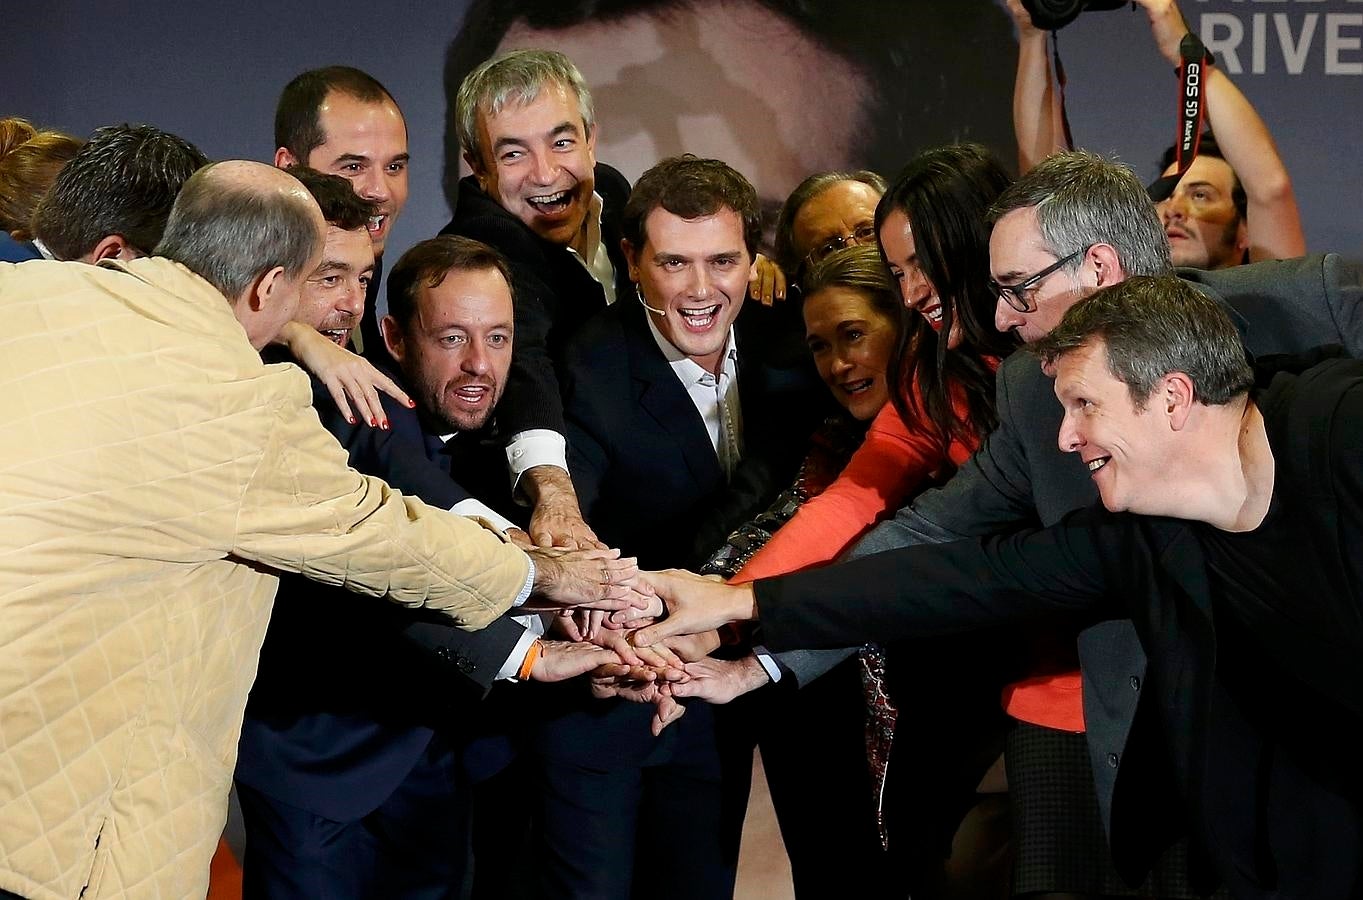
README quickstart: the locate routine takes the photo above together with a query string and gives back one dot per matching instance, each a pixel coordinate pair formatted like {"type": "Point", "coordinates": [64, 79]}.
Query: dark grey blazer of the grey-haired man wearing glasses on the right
{"type": "Point", "coordinates": [1020, 479]}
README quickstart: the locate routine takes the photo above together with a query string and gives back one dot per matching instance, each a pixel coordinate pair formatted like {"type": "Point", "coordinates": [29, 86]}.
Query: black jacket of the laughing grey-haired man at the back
{"type": "Point", "coordinates": [554, 294]}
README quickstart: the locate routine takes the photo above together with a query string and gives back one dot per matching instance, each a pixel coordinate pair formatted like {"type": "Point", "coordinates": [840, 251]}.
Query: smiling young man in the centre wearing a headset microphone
{"type": "Point", "coordinates": [678, 430]}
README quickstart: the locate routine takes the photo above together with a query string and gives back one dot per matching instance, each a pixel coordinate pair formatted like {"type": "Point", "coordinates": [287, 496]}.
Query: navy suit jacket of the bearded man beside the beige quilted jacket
{"type": "Point", "coordinates": [348, 693]}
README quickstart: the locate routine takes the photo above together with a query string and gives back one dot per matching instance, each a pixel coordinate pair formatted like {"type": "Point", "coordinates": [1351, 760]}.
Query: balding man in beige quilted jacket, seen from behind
{"type": "Point", "coordinates": [153, 478]}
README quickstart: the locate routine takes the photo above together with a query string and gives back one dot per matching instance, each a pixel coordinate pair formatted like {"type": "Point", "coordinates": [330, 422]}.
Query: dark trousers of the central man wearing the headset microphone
{"type": "Point", "coordinates": [628, 816]}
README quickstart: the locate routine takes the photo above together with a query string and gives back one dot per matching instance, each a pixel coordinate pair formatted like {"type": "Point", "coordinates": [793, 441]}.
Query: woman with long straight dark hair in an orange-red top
{"type": "Point", "coordinates": [934, 235]}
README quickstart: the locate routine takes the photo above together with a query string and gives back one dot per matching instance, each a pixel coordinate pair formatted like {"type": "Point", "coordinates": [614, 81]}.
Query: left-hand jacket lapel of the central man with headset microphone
{"type": "Point", "coordinates": [660, 395]}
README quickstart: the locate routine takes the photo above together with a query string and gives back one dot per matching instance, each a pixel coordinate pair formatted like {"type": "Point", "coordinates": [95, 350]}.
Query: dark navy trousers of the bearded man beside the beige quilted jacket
{"type": "Point", "coordinates": [415, 846]}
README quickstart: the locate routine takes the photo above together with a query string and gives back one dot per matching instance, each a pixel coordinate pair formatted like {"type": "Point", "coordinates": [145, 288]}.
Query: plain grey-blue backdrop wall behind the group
{"type": "Point", "coordinates": [212, 73]}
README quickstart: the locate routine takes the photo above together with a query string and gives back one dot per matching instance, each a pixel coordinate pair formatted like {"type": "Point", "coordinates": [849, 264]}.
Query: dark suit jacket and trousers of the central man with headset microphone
{"type": "Point", "coordinates": [651, 483]}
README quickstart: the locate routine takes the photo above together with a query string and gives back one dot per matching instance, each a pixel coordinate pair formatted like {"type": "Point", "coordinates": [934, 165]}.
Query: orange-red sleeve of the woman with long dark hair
{"type": "Point", "coordinates": [887, 470]}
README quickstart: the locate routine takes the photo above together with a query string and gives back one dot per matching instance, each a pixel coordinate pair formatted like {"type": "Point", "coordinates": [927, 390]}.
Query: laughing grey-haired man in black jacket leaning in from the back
{"type": "Point", "coordinates": [538, 194]}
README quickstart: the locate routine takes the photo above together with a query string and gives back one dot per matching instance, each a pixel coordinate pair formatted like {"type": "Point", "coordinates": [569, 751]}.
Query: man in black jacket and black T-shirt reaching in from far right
{"type": "Point", "coordinates": [1229, 517]}
